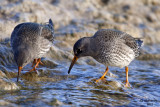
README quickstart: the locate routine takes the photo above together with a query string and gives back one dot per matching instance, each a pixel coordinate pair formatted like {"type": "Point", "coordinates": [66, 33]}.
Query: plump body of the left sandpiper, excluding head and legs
{"type": "Point", "coordinates": [37, 37]}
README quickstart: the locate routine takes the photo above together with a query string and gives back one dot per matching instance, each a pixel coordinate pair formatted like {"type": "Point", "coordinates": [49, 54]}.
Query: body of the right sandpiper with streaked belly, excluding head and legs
{"type": "Point", "coordinates": [116, 48]}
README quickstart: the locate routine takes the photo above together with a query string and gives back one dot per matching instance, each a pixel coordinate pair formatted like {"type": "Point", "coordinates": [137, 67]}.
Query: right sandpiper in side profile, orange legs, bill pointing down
{"type": "Point", "coordinates": [110, 47]}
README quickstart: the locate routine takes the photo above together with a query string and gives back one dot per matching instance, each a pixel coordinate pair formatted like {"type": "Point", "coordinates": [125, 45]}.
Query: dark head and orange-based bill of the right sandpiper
{"type": "Point", "coordinates": [82, 47]}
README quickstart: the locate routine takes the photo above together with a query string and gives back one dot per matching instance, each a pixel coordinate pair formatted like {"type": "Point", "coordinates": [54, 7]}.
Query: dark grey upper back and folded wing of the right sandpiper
{"type": "Point", "coordinates": [111, 36]}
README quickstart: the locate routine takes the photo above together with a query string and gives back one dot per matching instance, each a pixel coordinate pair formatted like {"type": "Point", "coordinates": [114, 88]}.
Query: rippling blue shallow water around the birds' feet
{"type": "Point", "coordinates": [54, 87]}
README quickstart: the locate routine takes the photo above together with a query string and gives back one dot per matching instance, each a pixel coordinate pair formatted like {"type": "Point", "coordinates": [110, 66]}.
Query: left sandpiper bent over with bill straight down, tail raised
{"type": "Point", "coordinates": [31, 41]}
